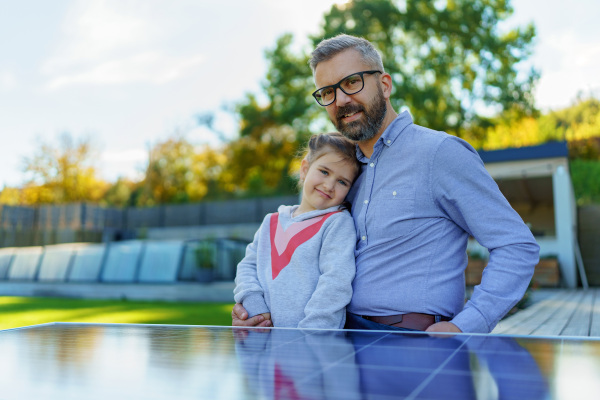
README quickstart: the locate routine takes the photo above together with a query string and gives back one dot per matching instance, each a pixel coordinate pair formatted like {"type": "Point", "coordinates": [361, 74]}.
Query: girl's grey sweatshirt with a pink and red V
{"type": "Point", "coordinates": [299, 269]}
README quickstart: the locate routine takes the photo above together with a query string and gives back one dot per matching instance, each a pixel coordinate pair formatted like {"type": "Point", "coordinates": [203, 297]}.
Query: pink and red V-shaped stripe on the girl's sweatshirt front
{"type": "Point", "coordinates": [289, 241]}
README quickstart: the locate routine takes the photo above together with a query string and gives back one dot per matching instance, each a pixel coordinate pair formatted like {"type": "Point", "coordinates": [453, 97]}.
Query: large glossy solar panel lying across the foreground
{"type": "Point", "coordinates": [123, 361]}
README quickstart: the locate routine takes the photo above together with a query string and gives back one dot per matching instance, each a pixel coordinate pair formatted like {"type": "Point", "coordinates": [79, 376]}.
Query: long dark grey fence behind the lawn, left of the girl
{"type": "Point", "coordinates": [44, 225]}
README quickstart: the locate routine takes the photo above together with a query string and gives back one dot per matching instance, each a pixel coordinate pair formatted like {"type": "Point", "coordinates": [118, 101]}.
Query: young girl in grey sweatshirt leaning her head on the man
{"type": "Point", "coordinates": [298, 271]}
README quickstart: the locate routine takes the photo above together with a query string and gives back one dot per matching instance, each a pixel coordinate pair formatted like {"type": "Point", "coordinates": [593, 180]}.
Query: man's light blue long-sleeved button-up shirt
{"type": "Point", "coordinates": [418, 198]}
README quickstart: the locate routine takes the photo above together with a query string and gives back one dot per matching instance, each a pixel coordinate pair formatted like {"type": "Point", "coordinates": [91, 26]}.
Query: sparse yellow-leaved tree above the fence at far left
{"type": "Point", "coordinates": [62, 173]}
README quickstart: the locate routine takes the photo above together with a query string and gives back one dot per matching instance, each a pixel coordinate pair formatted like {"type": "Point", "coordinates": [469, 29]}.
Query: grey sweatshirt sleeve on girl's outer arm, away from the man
{"type": "Point", "coordinates": [248, 289]}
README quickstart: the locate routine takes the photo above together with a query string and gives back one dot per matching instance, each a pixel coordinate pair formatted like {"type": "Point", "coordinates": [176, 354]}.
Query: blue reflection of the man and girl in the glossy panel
{"type": "Point", "coordinates": [381, 365]}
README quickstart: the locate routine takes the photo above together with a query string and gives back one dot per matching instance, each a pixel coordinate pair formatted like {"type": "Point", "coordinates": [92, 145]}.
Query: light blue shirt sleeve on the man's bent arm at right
{"type": "Point", "coordinates": [466, 192]}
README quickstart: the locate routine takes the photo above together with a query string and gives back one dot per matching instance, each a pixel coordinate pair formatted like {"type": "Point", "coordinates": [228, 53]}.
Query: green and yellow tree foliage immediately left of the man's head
{"type": "Point", "coordinates": [261, 160]}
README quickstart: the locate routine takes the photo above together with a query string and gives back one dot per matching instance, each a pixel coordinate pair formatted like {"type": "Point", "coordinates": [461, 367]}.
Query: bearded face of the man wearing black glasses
{"type": "Point", "coordinates": [359, 116]}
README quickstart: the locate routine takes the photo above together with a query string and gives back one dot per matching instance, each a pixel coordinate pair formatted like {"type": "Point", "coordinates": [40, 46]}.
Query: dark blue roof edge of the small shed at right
{"type": "Point", "coordinates": [546, 150]}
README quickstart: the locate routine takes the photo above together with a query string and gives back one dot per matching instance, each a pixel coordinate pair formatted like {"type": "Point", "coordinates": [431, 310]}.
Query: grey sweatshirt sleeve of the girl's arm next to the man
{"type": "Point", "coordinates": [327, 306]}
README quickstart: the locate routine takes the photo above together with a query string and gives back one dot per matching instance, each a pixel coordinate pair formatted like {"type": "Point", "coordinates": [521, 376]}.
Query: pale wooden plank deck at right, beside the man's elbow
{"type": "Point", "coordinates": [557, 312]}
